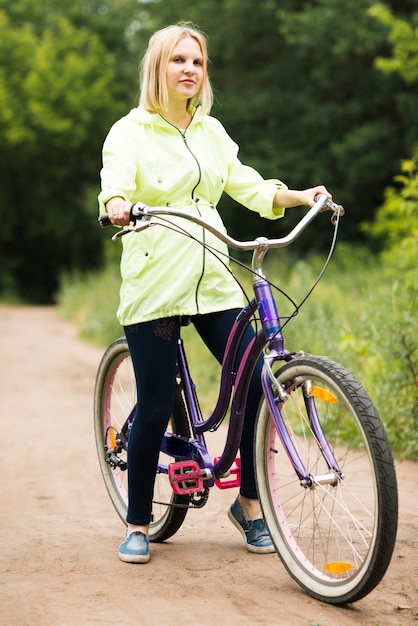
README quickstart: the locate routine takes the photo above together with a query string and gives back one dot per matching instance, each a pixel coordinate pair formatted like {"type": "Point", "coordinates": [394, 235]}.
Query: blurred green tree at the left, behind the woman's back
{"type": "Point", "coordinates": [54, 85]}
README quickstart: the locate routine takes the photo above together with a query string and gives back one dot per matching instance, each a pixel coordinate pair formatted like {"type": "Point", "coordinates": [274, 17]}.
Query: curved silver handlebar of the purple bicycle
{"type": "Point", "coordinates": [141, 214]}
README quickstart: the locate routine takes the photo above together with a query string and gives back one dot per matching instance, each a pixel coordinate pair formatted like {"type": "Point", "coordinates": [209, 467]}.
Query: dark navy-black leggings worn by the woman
{"type": "Point", "coordinates": [153, 348]}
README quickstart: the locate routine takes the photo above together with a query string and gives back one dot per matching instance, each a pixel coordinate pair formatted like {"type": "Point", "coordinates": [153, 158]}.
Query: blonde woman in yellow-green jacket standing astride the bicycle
{"type": "Point", "coordinates": [169, 151]}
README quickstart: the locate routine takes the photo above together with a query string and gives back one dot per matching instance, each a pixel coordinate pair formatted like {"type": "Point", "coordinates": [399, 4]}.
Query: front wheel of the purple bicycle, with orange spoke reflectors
{"type": "Point", "coordinates": [335, 540]}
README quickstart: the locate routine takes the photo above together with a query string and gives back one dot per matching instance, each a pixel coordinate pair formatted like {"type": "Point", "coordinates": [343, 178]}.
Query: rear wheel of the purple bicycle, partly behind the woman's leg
{"type": "Point", "coordinates": [114, 402]}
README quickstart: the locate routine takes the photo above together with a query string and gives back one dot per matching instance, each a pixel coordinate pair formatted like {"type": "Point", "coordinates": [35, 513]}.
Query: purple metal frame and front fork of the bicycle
{"type": "Point", "coordinates": [271, 334]}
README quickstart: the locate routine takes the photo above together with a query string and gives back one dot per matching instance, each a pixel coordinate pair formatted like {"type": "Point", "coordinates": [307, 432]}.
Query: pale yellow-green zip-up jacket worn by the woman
{"type": "Point", "coordinates": [147, 159]}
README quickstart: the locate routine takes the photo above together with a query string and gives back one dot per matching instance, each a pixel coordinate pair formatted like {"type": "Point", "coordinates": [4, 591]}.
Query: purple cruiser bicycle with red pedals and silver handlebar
{"type": "Point", "coordinates": [324, 468]}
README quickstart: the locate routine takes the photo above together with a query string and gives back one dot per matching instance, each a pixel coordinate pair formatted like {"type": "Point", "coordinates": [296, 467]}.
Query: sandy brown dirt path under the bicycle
{"type": "Point", "coordinates": [59, 533]}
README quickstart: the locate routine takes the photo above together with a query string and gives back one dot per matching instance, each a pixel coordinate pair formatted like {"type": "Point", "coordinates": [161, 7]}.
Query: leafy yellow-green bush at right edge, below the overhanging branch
{"type": "Point", "coordinates": [395, 324]}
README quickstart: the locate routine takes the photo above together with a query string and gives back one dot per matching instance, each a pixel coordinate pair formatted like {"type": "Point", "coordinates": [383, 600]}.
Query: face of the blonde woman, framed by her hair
{"type": "Point", "coordinates": [185, 71]}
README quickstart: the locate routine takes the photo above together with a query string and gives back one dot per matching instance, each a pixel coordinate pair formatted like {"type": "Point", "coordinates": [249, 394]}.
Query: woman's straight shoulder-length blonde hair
{"type": "Point", "coordinates": [153, 68]}
